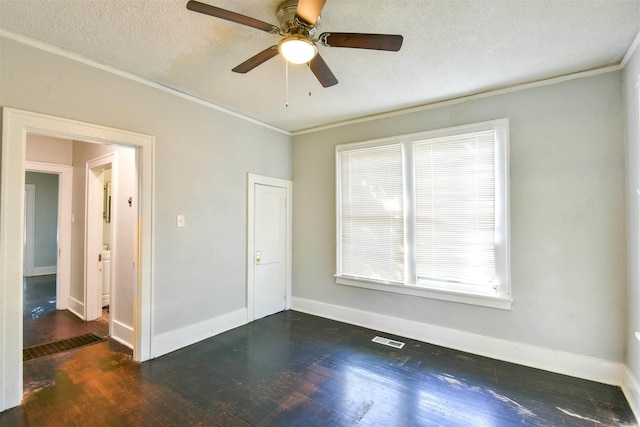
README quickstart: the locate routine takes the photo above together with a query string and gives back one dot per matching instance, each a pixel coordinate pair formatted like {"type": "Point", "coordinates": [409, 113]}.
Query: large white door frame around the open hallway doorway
{"type": "Point", "coordinates": [16, 124]}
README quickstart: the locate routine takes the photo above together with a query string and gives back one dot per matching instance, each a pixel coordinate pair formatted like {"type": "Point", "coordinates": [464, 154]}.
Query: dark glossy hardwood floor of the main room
{"type": "Point", "coordinates": [300, 370]}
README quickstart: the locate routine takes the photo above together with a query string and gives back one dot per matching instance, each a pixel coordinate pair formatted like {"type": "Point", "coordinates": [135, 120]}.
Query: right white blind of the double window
{"type": "Point", "coordinates": [455, 208]}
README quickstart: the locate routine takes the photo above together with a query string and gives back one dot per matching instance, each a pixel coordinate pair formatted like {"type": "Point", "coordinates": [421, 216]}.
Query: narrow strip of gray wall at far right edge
{"type": "Point", "coordinates": [632, 103]}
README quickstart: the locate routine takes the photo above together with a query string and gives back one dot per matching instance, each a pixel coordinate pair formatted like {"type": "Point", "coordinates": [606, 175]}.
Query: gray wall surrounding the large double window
{"type": "Point", "coordinates": [568, 245]}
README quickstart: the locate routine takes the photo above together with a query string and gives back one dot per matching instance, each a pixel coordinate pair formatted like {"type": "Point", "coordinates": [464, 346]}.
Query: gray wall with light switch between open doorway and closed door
{"type": "Point", "coordinates": [202, 157]}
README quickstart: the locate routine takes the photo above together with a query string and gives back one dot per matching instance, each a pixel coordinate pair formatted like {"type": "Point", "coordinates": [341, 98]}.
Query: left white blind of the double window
{"type": "Point", "coordinates": [372, 210]}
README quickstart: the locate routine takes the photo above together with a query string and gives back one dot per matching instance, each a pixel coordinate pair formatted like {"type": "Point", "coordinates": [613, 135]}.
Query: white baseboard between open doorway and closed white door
{"type": "Point", "coordinates": [176, 339]}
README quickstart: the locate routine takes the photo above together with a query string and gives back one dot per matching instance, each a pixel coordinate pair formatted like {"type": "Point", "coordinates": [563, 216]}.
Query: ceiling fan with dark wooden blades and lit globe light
{"type": "Point", "coordinates": [298, 27]}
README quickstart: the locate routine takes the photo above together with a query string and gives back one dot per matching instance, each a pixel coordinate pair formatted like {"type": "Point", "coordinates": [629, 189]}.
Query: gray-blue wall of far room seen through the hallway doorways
{"type": "Point", "coordinates": [45, 227]}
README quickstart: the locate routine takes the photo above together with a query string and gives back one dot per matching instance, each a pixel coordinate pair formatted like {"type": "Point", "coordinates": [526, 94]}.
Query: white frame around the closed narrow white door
{"type": "Point", "coordinates": [252, 180]}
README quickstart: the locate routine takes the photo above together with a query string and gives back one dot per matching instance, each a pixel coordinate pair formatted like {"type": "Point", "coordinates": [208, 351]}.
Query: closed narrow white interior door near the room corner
{"type": "Point", "coordinates": [270, 233]}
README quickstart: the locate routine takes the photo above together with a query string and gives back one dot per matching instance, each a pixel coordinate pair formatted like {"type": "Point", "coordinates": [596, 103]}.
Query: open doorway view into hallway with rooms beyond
{"type": "Point", "coordinates": [59, 308]}
